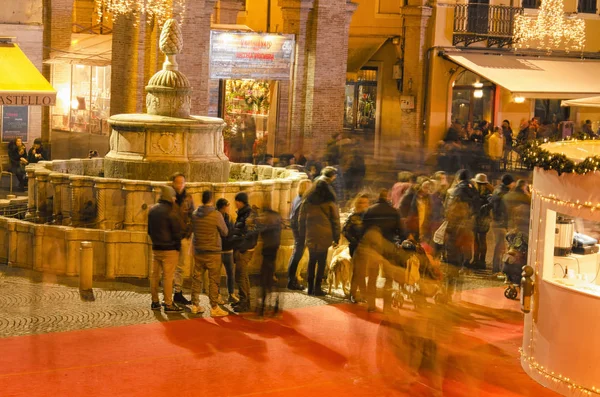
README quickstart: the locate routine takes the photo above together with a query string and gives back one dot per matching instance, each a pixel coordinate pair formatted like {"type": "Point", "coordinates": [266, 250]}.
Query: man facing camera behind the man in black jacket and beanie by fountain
{"type": "Point", "coordinates": [184, 208]}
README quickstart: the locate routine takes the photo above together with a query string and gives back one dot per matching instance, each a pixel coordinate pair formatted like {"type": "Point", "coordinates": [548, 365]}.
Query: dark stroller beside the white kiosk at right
{"type": "Point", "coordinates": [514, 260]}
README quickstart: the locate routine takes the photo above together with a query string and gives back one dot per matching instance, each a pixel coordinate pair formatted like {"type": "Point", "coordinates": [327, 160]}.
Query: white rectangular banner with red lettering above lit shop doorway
{"type": "Point", "coordinates": [243, 55]}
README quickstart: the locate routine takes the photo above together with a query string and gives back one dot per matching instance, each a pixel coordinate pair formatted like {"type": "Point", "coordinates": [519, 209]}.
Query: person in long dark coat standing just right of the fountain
{"type": "Point", "coordinates": [319, 224]}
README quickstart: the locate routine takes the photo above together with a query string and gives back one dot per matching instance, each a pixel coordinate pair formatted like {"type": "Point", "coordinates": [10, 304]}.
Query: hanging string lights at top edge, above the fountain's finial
{"type": "Point", "coordinates": [159, 10]}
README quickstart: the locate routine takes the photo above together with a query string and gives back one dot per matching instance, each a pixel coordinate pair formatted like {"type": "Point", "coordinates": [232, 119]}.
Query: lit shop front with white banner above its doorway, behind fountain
{"type": "Point", "coordinates": [249, 66]}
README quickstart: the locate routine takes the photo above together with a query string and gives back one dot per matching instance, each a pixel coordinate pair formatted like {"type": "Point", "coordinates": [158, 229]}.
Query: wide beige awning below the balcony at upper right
{"type": "Point", "coordinates": [535, 77]}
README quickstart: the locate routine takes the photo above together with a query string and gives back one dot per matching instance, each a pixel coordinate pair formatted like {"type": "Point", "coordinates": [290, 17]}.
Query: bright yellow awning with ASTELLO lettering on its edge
{"type": "Point", "coordinates": [21, 83]}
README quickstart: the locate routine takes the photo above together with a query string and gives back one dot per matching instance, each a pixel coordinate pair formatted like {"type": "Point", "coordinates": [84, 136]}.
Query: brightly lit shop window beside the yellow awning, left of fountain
{"type": "Point", "coordinates": [83, 99]}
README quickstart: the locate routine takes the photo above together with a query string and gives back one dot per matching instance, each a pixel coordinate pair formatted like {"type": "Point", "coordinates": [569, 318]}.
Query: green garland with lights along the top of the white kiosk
{"type": "Point", "coordinates": [534, 156]}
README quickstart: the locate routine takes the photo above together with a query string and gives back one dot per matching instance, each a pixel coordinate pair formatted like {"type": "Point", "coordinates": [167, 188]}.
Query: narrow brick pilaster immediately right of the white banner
{"type": "Point", "coordinates": [297, 20]}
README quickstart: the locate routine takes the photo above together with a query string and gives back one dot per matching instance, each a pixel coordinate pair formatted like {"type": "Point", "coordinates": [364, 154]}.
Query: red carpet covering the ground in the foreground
{"type": "Point", "coordinates": [470, 349]}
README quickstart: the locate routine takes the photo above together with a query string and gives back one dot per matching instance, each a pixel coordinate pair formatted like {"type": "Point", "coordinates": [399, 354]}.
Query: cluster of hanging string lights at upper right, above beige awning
{"type": "Point", "coordinates": [550, 29]}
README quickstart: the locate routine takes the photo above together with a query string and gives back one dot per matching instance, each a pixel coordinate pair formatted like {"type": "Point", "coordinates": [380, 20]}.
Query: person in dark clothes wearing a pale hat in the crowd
{"type": "Point", "coordinates": [483, 220]}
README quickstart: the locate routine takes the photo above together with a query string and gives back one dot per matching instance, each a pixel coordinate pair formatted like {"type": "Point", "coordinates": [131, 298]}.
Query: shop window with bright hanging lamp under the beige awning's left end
{"type": "Point", "coordinates": [472, 99]}
